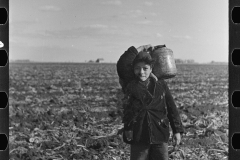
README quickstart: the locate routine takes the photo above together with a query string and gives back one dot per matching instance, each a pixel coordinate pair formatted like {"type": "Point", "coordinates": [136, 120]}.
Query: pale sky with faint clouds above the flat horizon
{"type": "Point", "coordinates": [83, 30]}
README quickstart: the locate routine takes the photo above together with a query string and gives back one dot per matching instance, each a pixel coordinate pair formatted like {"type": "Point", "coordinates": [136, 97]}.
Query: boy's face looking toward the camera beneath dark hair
{"type": "Point", "coordinates": [142, 70]}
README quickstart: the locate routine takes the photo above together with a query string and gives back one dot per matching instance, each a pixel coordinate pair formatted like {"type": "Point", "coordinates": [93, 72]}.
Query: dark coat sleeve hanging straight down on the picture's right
{"type": "Point", "coordinates": [173, 115]}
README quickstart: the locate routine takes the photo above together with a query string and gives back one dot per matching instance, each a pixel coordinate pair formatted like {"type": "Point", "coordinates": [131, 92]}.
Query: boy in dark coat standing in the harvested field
{"type": "Point", "coordinates": [149, 109]}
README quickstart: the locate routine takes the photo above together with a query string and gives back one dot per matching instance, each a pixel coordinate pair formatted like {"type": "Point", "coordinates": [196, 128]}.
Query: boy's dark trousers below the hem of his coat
{"type": "Point", "coordinates": [149, 152]}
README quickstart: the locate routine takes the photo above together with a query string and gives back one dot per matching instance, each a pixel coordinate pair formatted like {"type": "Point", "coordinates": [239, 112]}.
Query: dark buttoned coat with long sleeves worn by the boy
{"type": "Point", "coordinates": [148, 115]}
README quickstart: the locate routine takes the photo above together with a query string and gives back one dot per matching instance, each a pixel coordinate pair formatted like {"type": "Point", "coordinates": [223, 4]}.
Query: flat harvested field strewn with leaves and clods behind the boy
{"type": "Point", "coordinates": [60, 111]}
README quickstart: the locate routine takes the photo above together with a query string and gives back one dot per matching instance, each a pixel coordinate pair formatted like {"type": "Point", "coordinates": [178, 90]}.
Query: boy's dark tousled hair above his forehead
{"type": "Point", "coordinates": [143, 57]}
